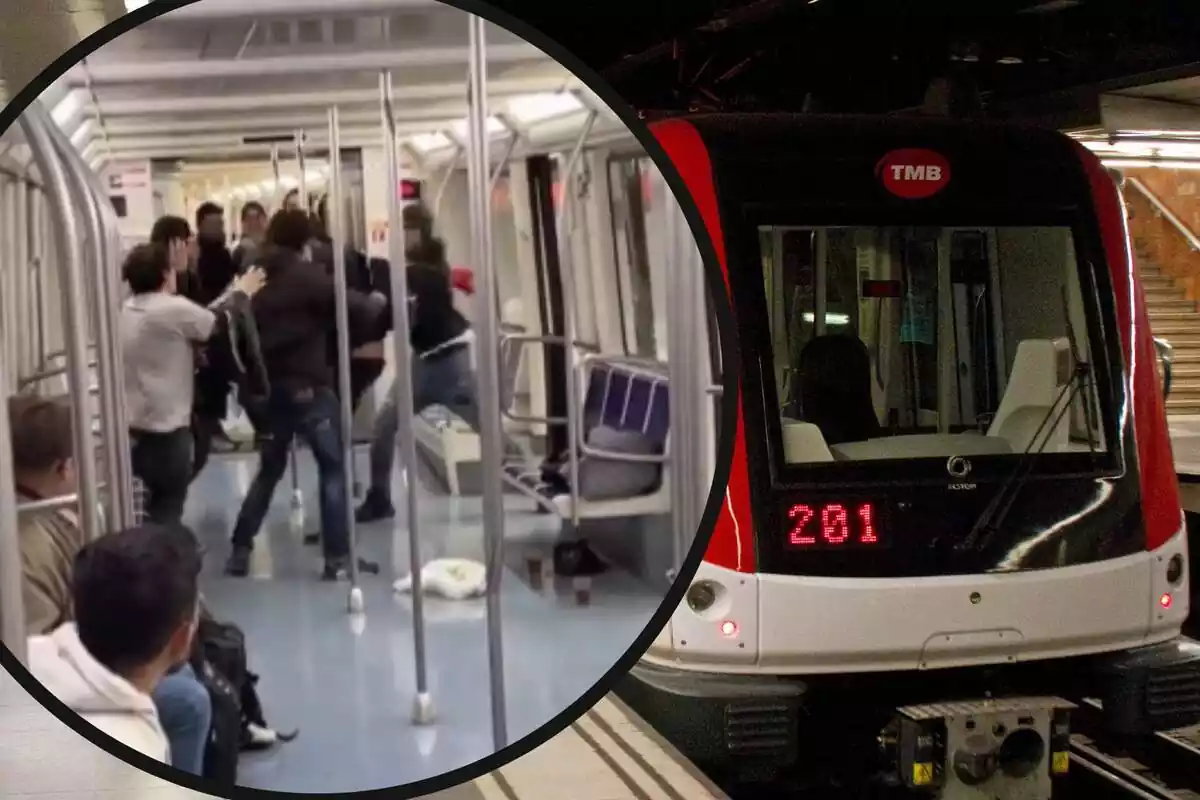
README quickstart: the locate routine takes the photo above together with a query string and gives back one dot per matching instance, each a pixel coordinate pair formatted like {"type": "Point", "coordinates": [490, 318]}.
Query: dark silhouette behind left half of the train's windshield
{"type": "Point", "coordinates": [836, 389]}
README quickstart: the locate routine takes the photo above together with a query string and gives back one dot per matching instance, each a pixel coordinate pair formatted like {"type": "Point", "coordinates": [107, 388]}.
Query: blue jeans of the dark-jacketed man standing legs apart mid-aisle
{"type": "Point", "coordinates": [315, 416]}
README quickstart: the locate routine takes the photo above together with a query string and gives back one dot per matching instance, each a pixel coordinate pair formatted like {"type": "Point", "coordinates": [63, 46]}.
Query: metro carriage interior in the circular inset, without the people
{"type": "Point", "coordinates": [595, 268]}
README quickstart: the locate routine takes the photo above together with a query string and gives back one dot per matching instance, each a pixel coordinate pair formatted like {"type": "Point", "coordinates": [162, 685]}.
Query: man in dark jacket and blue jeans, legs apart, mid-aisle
{"type": "Point", "coordinates": [298, 312]}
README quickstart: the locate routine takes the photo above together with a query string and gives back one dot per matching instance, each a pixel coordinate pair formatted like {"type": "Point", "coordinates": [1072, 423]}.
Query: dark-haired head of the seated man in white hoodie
{"type": "Point", "coordinates": [136, 599]}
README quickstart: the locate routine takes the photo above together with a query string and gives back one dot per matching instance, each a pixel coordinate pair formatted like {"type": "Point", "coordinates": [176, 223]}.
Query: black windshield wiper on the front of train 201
{"type": "Point", "coordinates": [994, 515]}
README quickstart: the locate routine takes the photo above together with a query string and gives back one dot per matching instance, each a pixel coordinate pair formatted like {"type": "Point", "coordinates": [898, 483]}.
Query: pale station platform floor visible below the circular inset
{"type": "Point", "coordinates": [609, 754]}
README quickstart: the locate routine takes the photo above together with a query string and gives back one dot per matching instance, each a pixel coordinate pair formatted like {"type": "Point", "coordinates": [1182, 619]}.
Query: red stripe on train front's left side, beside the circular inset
{"type": "Point", "coordinates": [733, 542]}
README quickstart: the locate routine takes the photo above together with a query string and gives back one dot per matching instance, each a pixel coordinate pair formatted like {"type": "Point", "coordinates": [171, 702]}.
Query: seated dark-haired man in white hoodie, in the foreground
{"type": "Point", "coordinates": [136, 597]}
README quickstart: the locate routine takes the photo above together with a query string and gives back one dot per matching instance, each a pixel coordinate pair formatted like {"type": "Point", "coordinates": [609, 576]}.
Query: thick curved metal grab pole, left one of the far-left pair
{"type": "Point", "coordinates": [75, 315]}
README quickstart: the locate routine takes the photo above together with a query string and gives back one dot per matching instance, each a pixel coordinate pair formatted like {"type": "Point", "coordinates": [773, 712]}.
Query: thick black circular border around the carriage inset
{"type": "Point", "coordinates": [731, 369]}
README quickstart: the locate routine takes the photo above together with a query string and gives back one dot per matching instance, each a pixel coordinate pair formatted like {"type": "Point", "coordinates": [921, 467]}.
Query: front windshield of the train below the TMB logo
{"type": "Point", "coordinates": [899, 344]}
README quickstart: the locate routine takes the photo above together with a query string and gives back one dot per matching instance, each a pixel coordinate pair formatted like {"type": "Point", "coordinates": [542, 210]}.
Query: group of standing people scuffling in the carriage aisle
{"type": "Point", "coordinates": [187, 298]}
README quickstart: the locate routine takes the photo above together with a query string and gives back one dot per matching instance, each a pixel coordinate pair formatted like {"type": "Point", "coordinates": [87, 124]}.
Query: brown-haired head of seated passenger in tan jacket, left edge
{"type": "Point", "coordinates": [43, 448]}
